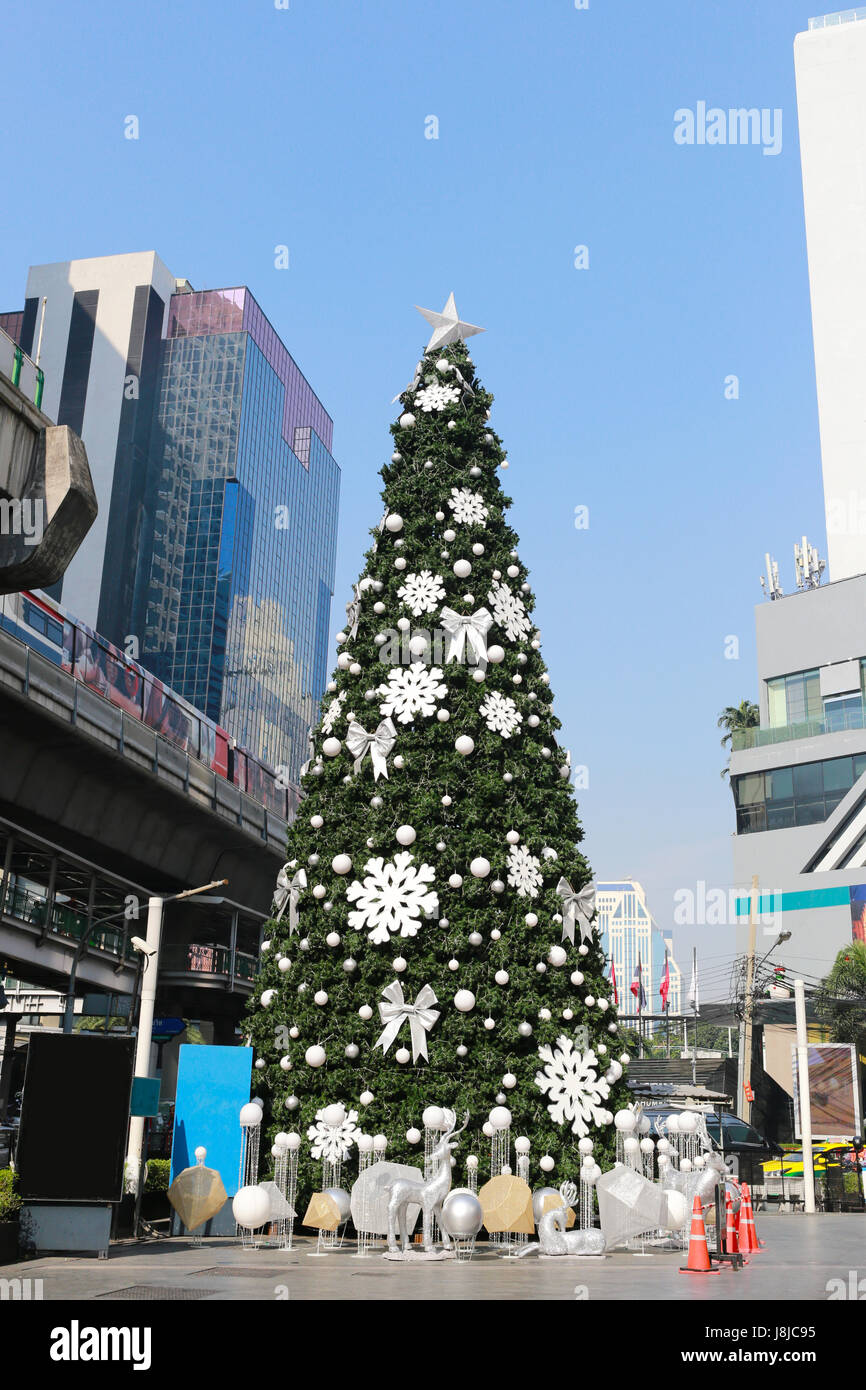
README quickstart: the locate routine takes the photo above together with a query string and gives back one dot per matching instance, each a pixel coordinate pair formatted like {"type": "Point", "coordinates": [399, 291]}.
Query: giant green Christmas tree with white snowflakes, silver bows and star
{"type": "Point", "coordinates": [434, 942]}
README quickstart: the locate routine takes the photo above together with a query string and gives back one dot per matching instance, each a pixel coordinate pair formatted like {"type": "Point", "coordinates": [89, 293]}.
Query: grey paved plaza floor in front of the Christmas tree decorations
{"type": "Point", "coordinates": [803, 1257]}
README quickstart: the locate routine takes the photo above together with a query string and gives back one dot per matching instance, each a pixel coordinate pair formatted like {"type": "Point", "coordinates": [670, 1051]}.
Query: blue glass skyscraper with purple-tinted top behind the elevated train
{"type": "Point", "coordinates": [234, 580]}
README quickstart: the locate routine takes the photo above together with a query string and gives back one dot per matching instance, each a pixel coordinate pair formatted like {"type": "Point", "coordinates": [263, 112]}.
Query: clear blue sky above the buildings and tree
{"type": "Point", "coordinates": [307, 127]}
